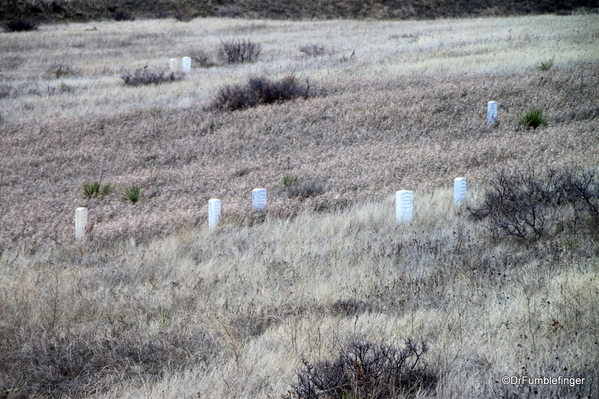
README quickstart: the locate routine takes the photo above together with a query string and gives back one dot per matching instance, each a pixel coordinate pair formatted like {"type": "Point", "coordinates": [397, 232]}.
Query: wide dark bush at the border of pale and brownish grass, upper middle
{"type": "Point", "coordinates": [259, 91]}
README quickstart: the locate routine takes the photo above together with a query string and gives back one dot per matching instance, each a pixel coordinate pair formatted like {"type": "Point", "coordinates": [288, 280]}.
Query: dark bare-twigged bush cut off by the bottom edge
{"type": "Point", "coordinates": [366, 370]}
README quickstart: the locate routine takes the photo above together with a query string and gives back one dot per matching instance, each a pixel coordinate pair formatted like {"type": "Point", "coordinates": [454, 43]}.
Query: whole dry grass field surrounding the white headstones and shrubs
{"type": "Point", "coordinates": [151, 304]}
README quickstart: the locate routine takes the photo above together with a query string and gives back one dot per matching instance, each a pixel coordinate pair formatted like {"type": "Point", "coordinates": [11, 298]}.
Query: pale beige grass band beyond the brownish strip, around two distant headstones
{"type": "Point", "coordinates": [99, 52]}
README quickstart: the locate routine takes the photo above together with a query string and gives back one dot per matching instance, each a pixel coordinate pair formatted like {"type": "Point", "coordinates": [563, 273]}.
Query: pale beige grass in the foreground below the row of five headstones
{"type": "Point", "coordinates": [268, 295]}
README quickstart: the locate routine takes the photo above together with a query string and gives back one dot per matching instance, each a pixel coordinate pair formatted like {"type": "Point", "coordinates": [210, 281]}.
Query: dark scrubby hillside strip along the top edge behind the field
{"type": "Point", "coordinates": [80, 10]}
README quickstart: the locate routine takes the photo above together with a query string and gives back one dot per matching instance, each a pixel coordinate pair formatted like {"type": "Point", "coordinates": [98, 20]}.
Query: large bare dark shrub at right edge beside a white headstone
{"type": "Point", "coordinates": [530, 204]}
